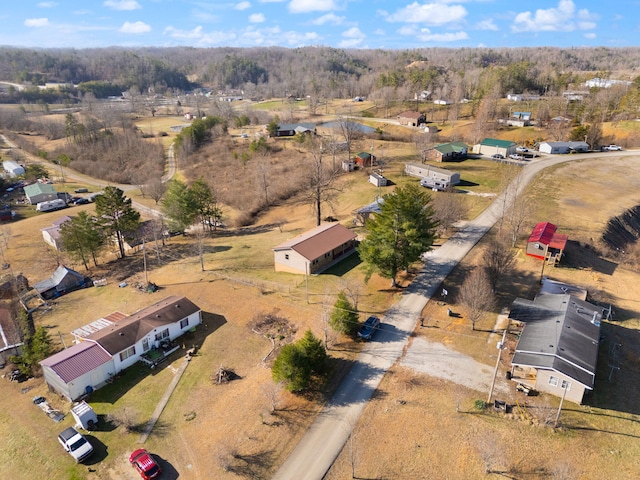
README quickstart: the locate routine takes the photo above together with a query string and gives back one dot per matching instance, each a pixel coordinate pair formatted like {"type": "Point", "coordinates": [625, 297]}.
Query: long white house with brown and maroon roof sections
{"type": "Point", "coordinates": [146, 335]}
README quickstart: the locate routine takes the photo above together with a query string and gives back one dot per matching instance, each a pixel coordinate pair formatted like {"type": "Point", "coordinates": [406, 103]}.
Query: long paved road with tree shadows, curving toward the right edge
{"type": "Point", "coordinates": [313, 456]}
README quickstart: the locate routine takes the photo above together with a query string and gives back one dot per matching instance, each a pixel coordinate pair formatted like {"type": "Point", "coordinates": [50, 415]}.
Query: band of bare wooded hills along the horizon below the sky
{"type": "Point", "coordinates": [321, 71]}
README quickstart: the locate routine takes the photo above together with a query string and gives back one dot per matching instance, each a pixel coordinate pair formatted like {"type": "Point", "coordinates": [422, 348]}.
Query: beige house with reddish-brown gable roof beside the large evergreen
{"type": "Point", "coordinates": [316, 250]}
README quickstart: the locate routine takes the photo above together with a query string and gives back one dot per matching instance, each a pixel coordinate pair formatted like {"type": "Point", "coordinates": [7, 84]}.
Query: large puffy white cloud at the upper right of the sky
{"type": "Point", "coordinates": [562, 18]}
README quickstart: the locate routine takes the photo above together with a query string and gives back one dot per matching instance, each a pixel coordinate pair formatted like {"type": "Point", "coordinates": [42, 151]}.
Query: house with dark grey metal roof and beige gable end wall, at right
{"type": "Point", "coordinates": [558, 348]}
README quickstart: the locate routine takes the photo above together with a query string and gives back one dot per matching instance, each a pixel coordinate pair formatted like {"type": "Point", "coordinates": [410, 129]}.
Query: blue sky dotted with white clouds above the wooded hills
{"type": "Point", "coordinates": [390, 24]}
